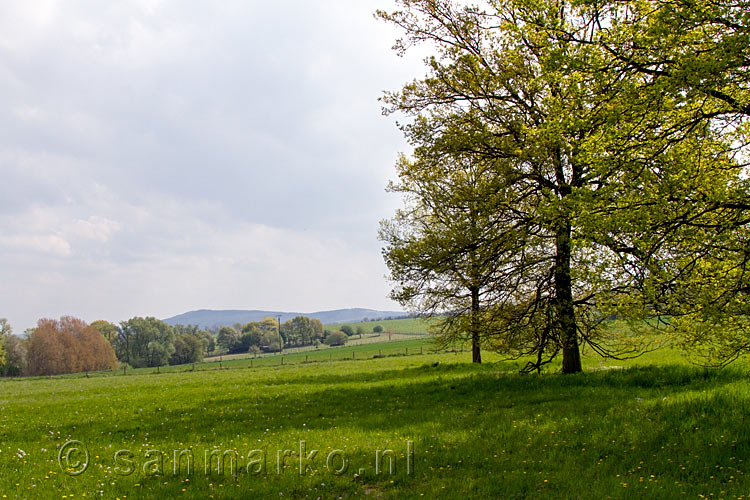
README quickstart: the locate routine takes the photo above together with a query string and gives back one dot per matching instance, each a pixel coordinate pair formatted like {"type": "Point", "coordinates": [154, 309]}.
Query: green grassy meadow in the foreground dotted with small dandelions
{"type": "Point", "coordinates": [665, 430]}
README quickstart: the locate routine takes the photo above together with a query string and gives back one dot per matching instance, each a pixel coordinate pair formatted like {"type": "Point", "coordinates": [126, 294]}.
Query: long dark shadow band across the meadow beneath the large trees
{"type": "Point", "coordinates": [444, 397]}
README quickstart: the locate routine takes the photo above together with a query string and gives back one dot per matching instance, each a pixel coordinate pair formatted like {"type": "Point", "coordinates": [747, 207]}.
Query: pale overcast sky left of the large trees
{"type": "Point", "coordinates": [163, 156]}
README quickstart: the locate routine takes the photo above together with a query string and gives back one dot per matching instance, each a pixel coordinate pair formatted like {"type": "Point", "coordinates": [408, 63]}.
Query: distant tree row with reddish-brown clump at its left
{"type": "Point", "coordinates": [70, 345]}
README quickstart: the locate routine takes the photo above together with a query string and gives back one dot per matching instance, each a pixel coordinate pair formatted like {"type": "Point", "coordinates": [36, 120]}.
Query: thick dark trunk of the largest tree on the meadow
{"type": "Point", "coordinates": [564, 302]}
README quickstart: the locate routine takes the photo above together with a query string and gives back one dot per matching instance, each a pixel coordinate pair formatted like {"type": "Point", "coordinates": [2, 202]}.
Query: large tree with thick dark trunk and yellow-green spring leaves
{"type": "Point", "coordinates": [618, 187]}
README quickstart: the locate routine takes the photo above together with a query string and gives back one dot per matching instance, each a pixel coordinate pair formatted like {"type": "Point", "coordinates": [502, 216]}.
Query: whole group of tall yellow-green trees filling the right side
{"type": "Point", "coordinates": [576, 161]}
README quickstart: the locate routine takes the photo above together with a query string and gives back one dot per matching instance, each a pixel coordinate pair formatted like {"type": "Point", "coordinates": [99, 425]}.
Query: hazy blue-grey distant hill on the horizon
{"type": "Point", "coordinates": [206, 318]}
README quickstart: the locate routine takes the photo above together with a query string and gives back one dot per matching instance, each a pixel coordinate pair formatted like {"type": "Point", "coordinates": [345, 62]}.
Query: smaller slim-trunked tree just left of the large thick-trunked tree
{"type": "Point", "coordinates": [446, 248]}
